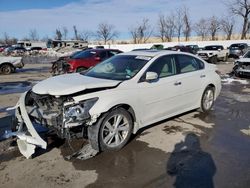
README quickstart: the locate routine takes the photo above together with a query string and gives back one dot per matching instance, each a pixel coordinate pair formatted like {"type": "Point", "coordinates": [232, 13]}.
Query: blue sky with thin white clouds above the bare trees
{"type": "Point", "coordinates": [17, 17]}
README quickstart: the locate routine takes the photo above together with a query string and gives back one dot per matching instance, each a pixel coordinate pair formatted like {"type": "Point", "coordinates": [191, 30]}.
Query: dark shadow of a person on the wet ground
{"type": "Point", "coordinates": [192, 167]}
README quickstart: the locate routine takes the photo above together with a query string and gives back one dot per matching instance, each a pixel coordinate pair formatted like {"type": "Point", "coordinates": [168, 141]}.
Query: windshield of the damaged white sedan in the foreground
{"type": "Point", "coordinates": [120, 67]}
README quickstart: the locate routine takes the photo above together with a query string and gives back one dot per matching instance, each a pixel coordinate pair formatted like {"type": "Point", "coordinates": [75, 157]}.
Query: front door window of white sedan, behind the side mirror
{"type": "Point", "coordinates": [164, 66]}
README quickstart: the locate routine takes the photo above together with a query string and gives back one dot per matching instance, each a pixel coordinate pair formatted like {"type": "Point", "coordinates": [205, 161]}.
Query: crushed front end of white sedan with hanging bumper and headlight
{"type": "Point", "coordinates": [59, 114]}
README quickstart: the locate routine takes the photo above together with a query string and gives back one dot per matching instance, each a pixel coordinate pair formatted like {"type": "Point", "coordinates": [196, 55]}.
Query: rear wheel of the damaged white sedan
{"type": "Point", "coordinates": [207, 99]}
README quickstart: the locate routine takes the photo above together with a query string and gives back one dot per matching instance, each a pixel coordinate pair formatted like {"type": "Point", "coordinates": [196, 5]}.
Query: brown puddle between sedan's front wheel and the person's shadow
{"type": "Point", "coordinates": [136, 165]}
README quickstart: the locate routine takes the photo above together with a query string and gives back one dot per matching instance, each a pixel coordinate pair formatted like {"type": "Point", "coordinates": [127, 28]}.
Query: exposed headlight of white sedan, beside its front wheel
{"type": "Point", "coordinates": [78, 112]}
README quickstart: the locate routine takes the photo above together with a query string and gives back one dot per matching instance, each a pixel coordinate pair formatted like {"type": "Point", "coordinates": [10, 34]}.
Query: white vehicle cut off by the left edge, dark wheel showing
{"type": "Point", "coordinates": [9, 64]}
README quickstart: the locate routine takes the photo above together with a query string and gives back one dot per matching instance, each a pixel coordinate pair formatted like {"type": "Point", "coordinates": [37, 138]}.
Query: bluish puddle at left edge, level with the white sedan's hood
{"type": "Point", "coordinates": [14, 87]}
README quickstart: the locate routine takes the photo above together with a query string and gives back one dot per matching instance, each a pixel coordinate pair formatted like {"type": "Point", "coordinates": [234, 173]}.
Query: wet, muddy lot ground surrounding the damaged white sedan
{"type": "Point", "coordinates": [192, 150]}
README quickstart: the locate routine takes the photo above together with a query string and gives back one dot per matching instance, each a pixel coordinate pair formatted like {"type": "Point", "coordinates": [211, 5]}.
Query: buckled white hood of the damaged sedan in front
{"type": "Point", "coordinates": [71, 83]}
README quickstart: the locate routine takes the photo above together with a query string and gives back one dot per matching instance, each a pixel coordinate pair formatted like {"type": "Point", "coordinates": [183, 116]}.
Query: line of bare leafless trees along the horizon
{"type": "Point", "coordinates": [174, 24]}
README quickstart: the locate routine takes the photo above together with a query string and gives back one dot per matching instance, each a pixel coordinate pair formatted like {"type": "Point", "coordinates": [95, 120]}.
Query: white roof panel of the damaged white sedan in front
{"type": "Point", "coordinates": [152, 53]}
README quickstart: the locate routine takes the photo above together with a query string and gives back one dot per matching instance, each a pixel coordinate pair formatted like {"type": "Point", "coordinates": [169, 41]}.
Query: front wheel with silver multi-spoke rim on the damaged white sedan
{"type": "Point", "coordinates": [113, 136]}
